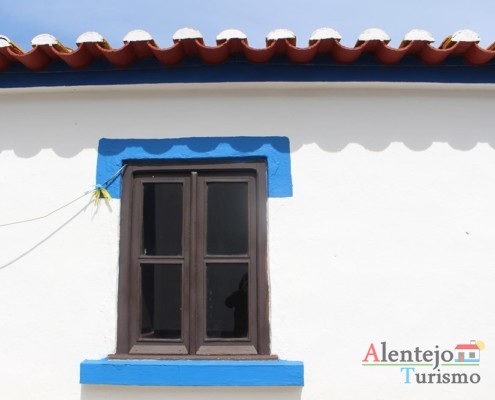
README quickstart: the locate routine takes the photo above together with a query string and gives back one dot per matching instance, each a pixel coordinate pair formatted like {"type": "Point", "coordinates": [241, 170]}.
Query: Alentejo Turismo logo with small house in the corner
{"type": "Point", "coordinates": [443, 366]}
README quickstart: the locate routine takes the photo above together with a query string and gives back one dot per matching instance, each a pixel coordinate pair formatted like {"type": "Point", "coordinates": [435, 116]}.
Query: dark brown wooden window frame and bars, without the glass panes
{"type": "Point", "coordinates": [194, 343]}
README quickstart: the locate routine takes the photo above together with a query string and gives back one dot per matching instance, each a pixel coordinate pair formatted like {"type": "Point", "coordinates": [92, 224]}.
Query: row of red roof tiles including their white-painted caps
{"type": "Point", "coordinates": [189, 42]}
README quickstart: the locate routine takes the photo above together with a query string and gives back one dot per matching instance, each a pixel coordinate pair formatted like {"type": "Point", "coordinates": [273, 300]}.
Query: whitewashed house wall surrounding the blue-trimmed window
{"type": "Point", "coordinates": [390, 234]}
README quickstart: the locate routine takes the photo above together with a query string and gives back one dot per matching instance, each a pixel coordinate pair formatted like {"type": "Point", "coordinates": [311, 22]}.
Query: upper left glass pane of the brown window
{"type": "Point", "coordinates": [162, 219]}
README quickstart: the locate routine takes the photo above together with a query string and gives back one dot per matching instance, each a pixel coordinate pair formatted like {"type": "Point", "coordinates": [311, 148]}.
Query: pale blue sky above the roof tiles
{"type": "Point", "coordinates": [22, 20]}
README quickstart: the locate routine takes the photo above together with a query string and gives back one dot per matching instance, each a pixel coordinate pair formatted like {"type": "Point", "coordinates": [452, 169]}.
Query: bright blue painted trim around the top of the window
{"type": "Point", "coordinates": [113, 153]}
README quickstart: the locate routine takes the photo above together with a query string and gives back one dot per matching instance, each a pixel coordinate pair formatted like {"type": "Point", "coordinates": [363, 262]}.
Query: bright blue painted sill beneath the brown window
{"type": "Point", "coordinates": [192, 373]}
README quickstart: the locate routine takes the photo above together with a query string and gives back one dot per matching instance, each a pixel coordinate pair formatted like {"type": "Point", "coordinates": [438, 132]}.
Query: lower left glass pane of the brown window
{"type": "Point", "coordinates": [161, 301]}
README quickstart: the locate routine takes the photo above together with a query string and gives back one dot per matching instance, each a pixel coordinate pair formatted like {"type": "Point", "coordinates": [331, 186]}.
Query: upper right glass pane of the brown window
{"type": "Point", "coordinates": [227, 218]}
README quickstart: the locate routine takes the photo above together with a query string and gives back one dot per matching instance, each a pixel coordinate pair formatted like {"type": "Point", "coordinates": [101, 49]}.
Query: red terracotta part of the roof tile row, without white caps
{"type": "Point", "coordinates": [42, 54]}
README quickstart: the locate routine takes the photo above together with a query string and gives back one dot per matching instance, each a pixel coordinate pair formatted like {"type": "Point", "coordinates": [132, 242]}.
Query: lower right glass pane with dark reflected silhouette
{"type": "Point", "coordinates": [227, 300]}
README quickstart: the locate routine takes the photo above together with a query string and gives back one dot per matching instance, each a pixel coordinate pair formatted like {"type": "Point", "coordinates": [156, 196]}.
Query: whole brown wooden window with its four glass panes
{"type": "Point", "coordinates": [193, 278]}
